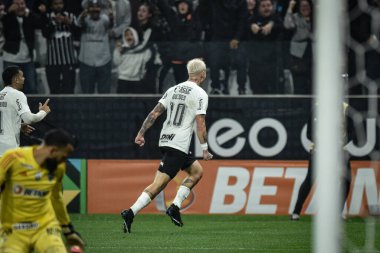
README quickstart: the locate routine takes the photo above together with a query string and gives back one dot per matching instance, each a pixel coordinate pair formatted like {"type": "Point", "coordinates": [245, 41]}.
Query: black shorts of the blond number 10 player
{"type": "Point", "coordinates": [174, 160]}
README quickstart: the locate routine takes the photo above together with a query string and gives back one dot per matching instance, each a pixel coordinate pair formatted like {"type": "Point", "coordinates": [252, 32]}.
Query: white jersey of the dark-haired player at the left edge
{"type": "Point", "coordinates": [13, 103]}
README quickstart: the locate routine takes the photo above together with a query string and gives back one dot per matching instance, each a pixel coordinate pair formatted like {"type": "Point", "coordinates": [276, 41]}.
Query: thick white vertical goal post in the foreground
{"type": "Point", "coordinates": [329, 48]}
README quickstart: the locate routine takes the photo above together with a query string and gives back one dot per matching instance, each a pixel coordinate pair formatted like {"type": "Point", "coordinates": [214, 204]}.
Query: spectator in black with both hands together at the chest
{"type": "Point", "coordinates": [265, 30]}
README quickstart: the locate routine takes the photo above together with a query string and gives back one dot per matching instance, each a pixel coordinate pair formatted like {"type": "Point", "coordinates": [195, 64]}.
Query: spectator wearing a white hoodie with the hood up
{"type": "Point", "coordinates": [131, 59]}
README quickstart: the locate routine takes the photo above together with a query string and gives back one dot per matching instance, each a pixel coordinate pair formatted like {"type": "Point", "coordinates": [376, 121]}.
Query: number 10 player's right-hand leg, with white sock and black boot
{"type": "Point", "coordinates": [195, 172]}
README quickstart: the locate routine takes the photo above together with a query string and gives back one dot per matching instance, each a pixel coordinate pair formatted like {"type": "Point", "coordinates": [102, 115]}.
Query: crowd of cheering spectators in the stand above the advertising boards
{"type": "Point", "coordinates": [131, 46]}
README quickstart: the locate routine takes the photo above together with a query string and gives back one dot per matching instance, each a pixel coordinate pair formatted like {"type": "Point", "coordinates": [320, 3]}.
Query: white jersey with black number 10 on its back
{"type": "Point", "coordinates": [182, 102]}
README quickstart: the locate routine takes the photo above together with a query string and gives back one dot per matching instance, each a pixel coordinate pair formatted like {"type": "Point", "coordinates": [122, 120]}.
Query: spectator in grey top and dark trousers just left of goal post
{"type": "Point", "coordinates": [300, 45]}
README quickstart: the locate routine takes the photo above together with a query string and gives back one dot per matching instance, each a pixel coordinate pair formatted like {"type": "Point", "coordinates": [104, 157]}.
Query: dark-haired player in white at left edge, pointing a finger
{"type": "Point", "coordinates": [14, 109]}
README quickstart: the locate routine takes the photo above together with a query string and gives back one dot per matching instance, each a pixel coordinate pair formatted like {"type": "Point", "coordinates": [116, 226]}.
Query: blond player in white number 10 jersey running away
{"type": "Point", "coordinates": [185, 103]}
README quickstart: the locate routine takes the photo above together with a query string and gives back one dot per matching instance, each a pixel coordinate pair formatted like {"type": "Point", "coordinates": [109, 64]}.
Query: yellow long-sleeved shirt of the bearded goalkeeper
{"type": "Point", "coordinates": [31, 198]}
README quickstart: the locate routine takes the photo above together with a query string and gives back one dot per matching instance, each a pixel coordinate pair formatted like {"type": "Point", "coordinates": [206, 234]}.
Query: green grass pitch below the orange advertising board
{"type": "Point", "coordinates": [213, 233]}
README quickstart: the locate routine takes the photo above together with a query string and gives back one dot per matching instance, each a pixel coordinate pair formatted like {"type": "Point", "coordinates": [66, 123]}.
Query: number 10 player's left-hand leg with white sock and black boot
{"type": "Point", "coordinates": [159, 183]}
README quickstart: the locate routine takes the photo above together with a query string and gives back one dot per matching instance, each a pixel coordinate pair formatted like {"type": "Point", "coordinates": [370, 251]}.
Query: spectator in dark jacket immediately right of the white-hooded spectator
{"type": "Point", "coordinates": [152, 29]}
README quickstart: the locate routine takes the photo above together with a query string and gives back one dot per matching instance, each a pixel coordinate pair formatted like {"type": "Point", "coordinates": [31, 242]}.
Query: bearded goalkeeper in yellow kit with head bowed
{"type": "Point", "coordinates": [33, 214]}
